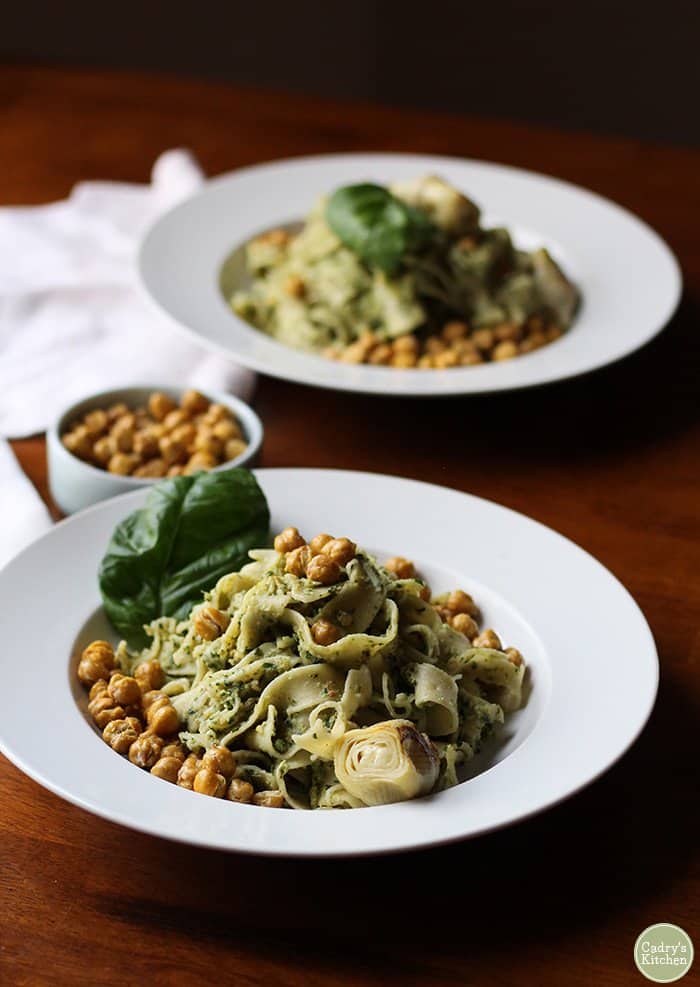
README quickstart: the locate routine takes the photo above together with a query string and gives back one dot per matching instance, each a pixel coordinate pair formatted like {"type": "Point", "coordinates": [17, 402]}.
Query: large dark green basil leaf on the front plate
{"type": "Point", "coordinates": [191, 531]}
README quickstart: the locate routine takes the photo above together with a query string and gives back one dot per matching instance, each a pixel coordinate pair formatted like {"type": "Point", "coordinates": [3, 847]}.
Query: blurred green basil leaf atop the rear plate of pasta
{"type": "Point", "coordinates": [376, 225]}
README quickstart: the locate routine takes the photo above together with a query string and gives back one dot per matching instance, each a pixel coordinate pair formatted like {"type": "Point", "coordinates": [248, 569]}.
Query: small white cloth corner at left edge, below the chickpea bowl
{"type": "Point", "coordinates": [23, 514]}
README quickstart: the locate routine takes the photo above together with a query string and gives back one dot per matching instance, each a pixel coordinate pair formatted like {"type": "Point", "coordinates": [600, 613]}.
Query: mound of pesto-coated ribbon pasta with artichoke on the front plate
{"type": "Point", "coordinates": [385, 709]}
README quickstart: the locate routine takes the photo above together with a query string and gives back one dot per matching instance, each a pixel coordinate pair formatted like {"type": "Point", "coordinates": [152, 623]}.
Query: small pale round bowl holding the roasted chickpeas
{"type": "Point", "coordinates": [75, 484]}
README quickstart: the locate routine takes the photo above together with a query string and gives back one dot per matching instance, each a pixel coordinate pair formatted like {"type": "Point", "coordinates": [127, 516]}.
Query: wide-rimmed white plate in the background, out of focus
{"type": "Point", "coordinates": [628, 277]}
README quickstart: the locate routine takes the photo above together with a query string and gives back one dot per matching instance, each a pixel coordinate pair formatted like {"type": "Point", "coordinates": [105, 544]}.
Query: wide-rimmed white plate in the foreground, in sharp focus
{"type": "Point", "coordinates": [589, 695]}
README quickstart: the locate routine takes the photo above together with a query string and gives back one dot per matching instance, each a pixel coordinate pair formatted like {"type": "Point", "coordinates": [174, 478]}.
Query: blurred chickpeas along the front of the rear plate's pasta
{"type": "Point", "coordinates": [455, 346]}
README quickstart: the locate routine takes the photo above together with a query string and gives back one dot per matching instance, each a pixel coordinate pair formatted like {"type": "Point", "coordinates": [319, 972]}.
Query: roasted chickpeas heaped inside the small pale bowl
{"type": "Point", "coordinates": [163, 439]}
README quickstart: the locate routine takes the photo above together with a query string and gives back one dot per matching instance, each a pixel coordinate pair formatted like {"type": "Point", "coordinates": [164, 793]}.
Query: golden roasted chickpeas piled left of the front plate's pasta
{"type": "Point", "coordinates": [139, 721]}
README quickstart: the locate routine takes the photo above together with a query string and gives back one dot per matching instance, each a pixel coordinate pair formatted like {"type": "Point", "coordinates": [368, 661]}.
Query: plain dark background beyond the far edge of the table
{"type": "Point", "coordinates": [617, 67]}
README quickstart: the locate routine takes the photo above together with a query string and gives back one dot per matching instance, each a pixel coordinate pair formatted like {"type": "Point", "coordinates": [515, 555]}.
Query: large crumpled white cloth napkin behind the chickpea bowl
{"type": "Point", "coordinates": [71, 319]}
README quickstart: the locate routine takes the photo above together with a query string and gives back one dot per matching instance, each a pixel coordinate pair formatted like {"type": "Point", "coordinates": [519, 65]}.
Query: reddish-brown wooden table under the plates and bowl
{"type": "Point", "coordinates": [612, 461]}
